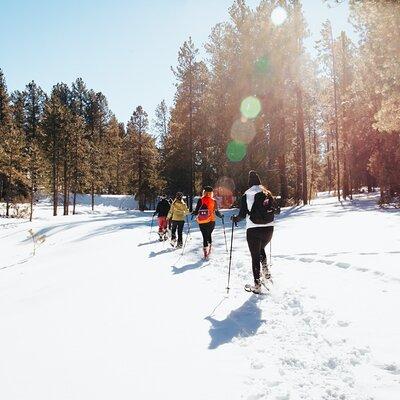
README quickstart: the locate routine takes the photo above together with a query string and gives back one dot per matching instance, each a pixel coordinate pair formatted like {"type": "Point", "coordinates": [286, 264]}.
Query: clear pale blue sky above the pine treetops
{"type": "Point", "coordinates": [123, 48]}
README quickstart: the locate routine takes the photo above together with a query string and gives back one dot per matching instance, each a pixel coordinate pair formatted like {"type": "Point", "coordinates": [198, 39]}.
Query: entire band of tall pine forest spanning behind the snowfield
{"type": "Point", "coordinates": [258, 100]}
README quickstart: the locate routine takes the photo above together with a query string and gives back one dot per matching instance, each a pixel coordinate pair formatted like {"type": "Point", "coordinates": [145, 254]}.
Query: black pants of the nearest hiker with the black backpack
{"type": "Point", "coordinates": [257, 239]}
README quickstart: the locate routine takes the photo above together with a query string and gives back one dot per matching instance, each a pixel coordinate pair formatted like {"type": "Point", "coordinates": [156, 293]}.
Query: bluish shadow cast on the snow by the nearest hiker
{"type": "Point", "coordinates": [242, 322]}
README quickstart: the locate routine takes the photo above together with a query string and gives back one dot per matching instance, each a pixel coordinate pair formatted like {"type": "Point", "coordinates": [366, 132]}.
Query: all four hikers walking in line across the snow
{"type": "Point", "coordinates": [257, 207]}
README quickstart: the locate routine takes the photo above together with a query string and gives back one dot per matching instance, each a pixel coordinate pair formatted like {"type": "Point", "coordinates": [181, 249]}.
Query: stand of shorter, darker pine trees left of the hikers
{"type": "Point", "coordinates": [69, 142]}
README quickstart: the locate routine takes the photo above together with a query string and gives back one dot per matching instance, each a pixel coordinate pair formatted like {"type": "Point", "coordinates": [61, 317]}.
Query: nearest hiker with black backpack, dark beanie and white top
{"type": "Point", "coordinates": [258, 207]}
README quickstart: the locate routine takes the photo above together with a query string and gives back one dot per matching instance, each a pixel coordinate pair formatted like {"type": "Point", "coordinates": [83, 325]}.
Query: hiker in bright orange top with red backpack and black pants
{"type": "Point", "coordinates": [205, 213]}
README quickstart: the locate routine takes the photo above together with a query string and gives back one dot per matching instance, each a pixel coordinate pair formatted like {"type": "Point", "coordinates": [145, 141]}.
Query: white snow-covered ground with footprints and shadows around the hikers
{"type": "Point", "coordinates": [104, 311]}
